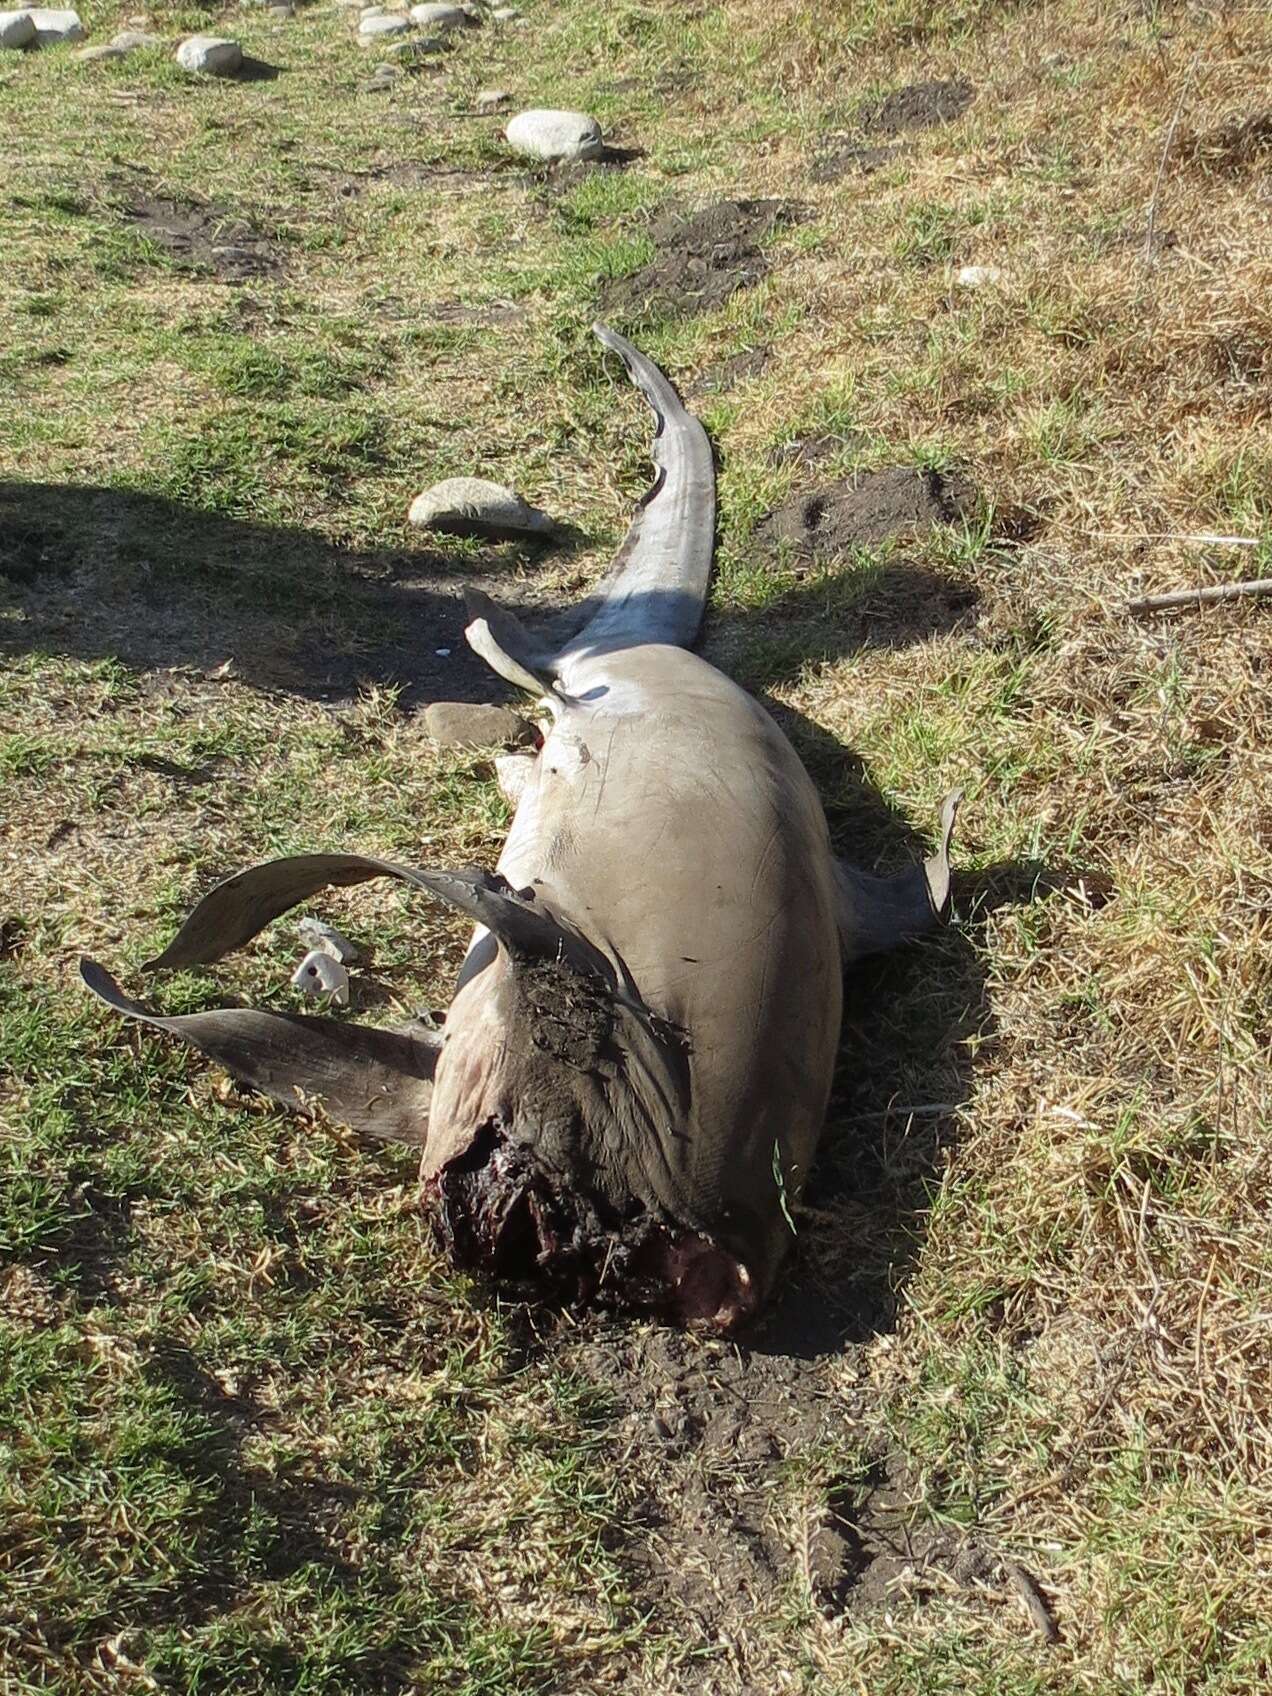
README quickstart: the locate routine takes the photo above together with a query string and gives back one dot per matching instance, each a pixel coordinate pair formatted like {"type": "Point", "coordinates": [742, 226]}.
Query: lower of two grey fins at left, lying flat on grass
{"type": "Point", "coordinates": [377, 1083]}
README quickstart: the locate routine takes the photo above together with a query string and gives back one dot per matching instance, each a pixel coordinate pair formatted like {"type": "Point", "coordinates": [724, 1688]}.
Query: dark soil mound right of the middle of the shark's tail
{"type": "Point", "coordinates": [864, 511]}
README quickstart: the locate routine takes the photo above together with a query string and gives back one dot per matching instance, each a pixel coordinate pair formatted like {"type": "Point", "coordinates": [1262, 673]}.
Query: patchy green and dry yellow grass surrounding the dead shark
{"type": "Point", "coordinates": [254, 1434]}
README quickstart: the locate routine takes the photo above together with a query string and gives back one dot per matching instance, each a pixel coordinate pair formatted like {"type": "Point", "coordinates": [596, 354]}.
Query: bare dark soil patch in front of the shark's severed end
{"type": "Point", "coordinates": [710, 1429]}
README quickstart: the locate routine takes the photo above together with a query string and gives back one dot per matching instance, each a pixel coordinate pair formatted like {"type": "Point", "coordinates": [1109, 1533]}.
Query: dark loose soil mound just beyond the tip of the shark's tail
{"type": "Point", "coordinates": [703, 259]}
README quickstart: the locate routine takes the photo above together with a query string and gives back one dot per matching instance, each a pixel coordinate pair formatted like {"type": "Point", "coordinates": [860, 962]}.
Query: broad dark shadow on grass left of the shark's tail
{"type": "Point", "coordinates": [94, 574]}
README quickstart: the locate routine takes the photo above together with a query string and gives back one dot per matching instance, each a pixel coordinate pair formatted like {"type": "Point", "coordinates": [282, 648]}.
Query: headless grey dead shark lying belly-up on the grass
{"type": "Point", "coordinates": [635, 1069]}
